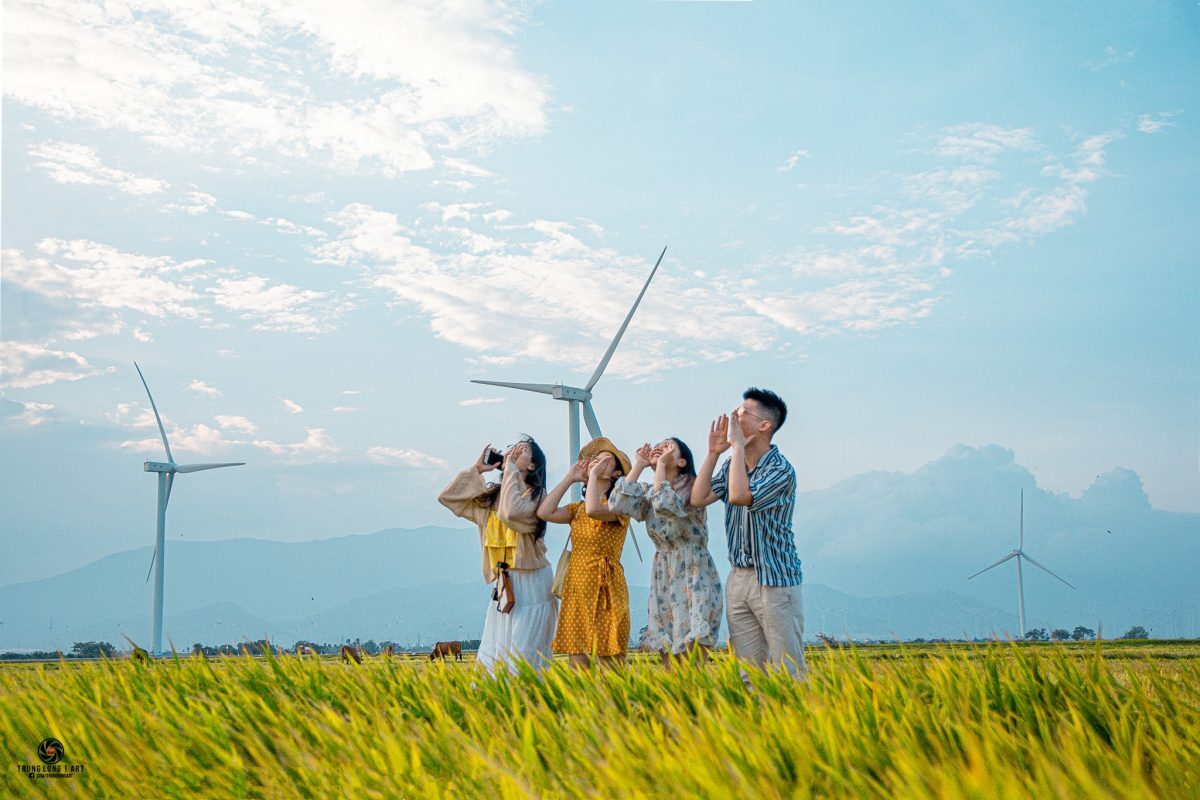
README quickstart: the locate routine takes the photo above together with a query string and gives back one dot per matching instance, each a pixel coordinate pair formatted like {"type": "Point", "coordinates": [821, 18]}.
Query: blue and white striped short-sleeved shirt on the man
{"type": "Point", "coordinates": [760, 536]}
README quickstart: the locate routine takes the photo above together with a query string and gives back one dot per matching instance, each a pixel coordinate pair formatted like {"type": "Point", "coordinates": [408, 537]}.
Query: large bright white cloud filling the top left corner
{"type": "Point", "coordinates": [363, 85]}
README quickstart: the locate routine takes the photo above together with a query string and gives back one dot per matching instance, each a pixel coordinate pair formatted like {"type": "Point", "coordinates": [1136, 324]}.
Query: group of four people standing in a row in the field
{"type": "Point", "coordinates": [763, 601]}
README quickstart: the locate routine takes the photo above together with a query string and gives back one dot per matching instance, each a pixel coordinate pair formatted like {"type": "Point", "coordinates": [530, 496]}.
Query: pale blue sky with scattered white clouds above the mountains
{"type": "Point", "coordinates": [313, 226]}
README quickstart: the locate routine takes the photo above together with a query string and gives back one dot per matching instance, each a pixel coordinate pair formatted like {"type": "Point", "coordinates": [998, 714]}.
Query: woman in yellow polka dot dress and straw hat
{"type": "Point", "coordinates": [593, 618]}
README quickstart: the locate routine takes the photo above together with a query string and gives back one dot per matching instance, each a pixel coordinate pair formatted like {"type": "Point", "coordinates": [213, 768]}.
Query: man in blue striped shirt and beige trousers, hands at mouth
{"type": "Point", "coordinates": [763, 596]}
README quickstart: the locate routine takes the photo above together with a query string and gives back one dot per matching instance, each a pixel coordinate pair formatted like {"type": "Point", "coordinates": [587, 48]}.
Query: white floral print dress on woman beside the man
{"type": "Point", "coordinates": [686, 591]}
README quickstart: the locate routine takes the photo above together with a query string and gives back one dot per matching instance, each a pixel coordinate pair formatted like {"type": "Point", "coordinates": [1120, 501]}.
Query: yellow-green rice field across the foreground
{"type": "Point", "coordinates": [988, 721]}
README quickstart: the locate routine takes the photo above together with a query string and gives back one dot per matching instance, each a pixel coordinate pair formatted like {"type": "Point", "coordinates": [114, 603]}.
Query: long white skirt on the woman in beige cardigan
{"type": "Point", "coordinates": [525, 634]}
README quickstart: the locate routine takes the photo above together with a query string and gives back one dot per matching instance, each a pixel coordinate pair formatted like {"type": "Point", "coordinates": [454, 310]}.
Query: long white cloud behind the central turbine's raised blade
{"type": "Point", "coordinates": [507, 300]}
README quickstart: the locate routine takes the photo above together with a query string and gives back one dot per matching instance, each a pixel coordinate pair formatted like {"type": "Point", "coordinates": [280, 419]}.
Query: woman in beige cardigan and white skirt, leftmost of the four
{"type": "Point", "coordinates": [521, 612]}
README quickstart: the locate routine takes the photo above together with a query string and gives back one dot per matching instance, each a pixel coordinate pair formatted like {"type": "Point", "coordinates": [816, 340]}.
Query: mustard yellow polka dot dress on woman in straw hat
{"type": "Point", "coordinates": [595, 616]}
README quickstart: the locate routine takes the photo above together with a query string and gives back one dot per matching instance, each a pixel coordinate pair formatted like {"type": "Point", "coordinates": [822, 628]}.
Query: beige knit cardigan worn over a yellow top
{"type": "Point", "coordinates": [515, 508]}
